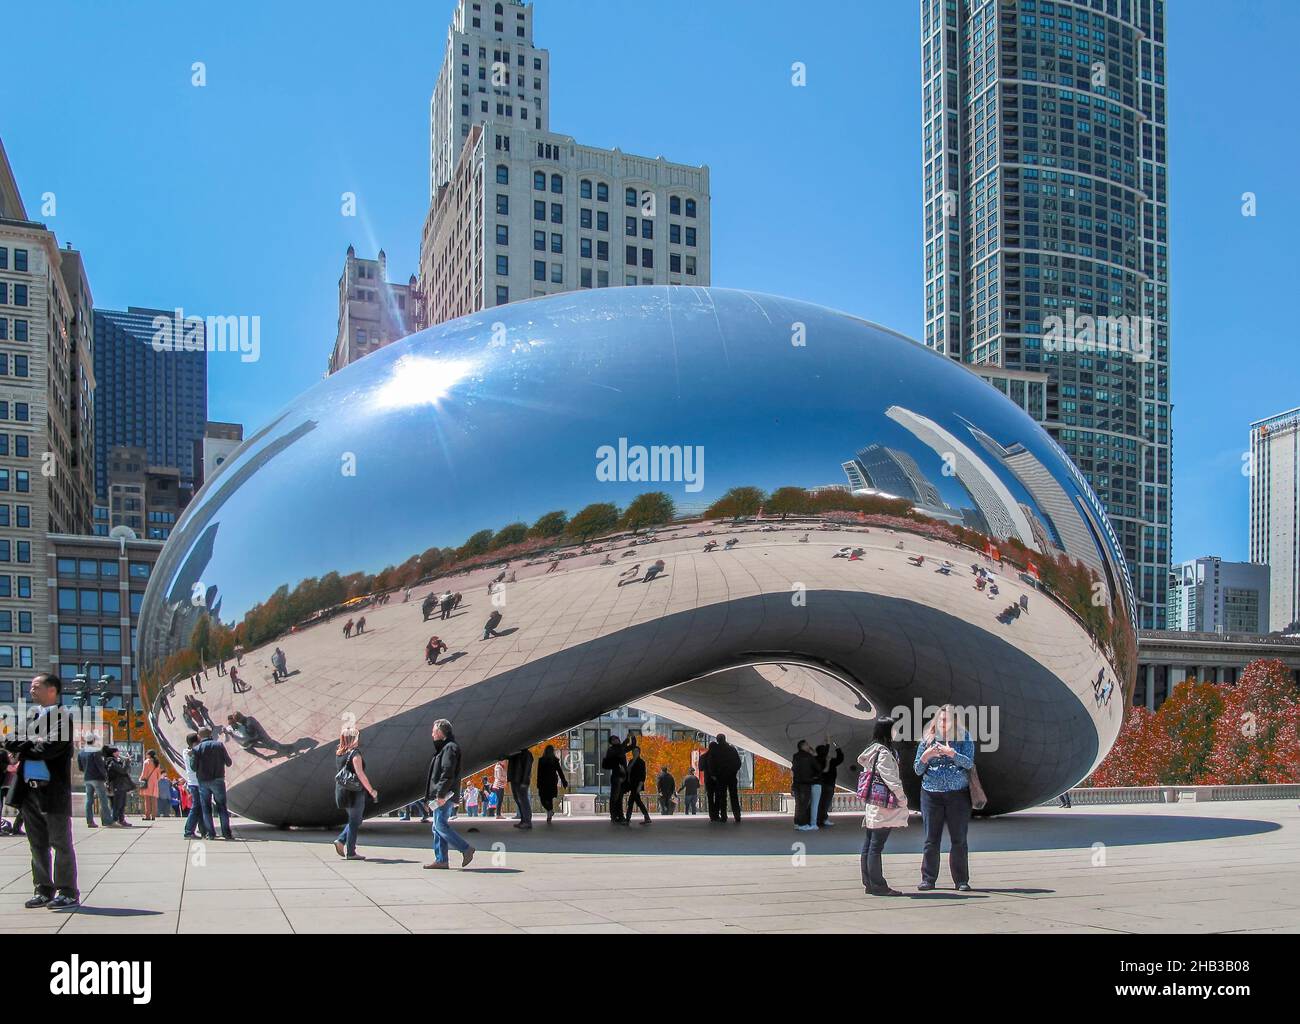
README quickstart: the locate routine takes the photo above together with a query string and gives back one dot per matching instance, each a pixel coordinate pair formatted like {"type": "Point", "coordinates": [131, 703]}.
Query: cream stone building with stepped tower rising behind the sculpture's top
{"type": "Point", "coordinates": [518, 211]}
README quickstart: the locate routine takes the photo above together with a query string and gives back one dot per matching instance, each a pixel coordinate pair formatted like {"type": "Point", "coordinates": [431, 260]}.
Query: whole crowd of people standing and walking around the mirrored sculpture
{"type": "Point", "coordinates": [38, 786]}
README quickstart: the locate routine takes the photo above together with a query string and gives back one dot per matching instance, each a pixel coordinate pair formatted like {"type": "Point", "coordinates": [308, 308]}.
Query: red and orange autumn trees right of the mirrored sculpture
{"type": "Point", "coordinates": [1212, 735]}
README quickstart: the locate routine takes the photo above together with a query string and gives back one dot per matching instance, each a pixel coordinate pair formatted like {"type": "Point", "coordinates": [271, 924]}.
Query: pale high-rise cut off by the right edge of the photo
{"type": "Point", "coordinates": [1276, 513]}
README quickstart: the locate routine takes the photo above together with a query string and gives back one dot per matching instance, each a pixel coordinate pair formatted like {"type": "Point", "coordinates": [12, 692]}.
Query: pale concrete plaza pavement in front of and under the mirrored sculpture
{"type": "Point", "coordinates": [1145, 869]}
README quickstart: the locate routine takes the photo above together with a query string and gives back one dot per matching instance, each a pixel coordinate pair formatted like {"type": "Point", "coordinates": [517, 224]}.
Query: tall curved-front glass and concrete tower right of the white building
{"type": "Point", "coordinates": [1046, 236]}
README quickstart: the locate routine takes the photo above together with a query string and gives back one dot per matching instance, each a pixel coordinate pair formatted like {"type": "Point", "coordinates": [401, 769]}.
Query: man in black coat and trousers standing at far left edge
{"type": "Point", "coordinates": [45, 795]}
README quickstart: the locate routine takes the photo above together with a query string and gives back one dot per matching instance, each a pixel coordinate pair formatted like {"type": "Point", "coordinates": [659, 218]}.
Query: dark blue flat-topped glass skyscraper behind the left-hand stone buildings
{"type": "Point", "coordinates": [150, 396]}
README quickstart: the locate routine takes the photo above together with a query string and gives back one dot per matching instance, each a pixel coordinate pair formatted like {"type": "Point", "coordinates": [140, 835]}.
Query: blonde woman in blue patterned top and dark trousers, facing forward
{"type": "Point", "coordinates": [944, 761]}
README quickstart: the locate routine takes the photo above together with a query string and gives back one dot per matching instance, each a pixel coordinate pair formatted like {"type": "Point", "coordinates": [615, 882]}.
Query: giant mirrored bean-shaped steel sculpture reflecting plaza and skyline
{"type": "Point", "coordinates": [743, 511]}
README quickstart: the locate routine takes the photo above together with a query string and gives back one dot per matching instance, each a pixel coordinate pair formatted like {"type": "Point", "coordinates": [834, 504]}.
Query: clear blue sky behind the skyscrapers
{"type": "Point", "coordinates": [226, 199]}
